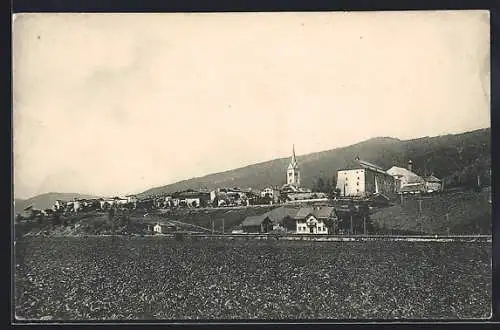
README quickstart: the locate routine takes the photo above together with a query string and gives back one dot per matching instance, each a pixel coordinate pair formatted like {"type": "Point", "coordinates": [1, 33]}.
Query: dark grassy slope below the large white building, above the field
{"type": "Point", "coordinates": [468, 213]}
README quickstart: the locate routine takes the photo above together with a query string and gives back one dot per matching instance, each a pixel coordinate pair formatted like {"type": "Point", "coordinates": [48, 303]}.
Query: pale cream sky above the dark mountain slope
{"type": "Point", "coordinates": [109, 104]}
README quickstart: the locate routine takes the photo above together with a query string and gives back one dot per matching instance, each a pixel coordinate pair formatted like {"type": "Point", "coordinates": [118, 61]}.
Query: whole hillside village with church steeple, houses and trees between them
{"type": "Point", "coordinates": [343, 207]}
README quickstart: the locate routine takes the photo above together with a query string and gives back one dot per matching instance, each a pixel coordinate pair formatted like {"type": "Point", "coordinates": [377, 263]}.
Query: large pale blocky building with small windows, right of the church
{"type": "Point", "coordinates": [364, 179]}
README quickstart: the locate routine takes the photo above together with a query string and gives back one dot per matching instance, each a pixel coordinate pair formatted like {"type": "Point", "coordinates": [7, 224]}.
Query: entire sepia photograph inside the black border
{"type": "Point", "coordinates": [284, 166]}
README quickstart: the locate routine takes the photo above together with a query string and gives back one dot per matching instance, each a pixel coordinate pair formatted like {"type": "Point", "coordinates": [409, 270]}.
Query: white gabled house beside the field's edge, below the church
{"type": "Point", "coordinates": [314, 220]}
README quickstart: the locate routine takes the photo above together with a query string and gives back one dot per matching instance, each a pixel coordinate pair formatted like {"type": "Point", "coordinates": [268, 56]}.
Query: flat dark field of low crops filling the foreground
{"type": "Point", "coordinates": [71, 278]}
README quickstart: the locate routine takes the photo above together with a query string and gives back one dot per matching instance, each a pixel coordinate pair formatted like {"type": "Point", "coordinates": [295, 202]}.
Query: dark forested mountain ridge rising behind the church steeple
{"type": "Point", "coordinates": [385, 151]}
